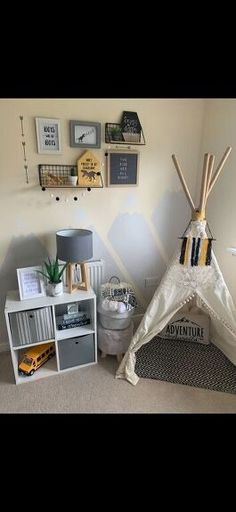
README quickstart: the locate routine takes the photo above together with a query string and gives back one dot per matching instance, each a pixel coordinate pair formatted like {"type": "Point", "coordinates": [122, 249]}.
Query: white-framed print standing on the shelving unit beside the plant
{"type": "Point", "coordinates": [30, 282]}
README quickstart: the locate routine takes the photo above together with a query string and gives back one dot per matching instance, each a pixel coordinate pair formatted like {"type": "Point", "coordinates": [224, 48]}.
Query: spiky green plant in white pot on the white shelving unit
{"type": "Point", "coordinates": [53, 273]}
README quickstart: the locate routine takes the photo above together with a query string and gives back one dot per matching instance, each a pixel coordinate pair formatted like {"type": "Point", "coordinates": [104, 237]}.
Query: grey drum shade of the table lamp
{"type": "Point", "coordinates": [74, 245]}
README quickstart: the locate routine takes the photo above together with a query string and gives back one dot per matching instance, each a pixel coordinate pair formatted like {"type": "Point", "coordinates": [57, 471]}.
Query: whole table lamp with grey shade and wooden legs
{"type": "Point", "coordinates": [75, 246]}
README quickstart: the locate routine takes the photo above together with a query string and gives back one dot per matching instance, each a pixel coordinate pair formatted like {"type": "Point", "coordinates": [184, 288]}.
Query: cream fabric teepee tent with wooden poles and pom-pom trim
{"type": "Point", "coordinates": [193, 273]}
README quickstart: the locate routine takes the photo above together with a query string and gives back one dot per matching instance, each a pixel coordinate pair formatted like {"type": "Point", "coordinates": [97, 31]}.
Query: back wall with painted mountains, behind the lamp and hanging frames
{"type": "Point", "coordinates": [155, 212]}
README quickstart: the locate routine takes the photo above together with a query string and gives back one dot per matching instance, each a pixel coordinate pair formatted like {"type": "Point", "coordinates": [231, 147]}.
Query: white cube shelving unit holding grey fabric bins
{"type": "Point", "coordinates": [37, 321]}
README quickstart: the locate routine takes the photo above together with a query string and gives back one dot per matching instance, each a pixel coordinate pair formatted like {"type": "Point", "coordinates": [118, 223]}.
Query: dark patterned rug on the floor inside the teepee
{"type": "Point", "coordinates": [192, 364]}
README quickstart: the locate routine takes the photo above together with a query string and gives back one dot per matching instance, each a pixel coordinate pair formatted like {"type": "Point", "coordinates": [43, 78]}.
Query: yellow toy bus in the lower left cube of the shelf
{"type": "Point", "coordinates": [36, 357]}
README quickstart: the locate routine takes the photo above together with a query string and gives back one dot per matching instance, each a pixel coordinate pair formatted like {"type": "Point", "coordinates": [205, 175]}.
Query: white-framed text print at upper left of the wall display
{"type": "Point", "coordinates": [48, 135]}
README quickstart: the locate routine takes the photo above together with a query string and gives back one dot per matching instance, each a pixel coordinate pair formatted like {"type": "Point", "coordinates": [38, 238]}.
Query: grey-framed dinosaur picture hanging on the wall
{"type": "Point", "coordinates": [84, 134]}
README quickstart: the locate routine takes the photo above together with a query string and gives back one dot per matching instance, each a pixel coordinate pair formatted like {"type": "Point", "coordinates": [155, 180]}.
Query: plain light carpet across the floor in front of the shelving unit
{"type": "Point", "coordinates": [94, 389]}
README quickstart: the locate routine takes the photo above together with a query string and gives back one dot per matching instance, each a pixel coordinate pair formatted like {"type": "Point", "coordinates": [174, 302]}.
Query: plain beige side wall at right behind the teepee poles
{"type": "Point", "coordinates": [218, 133]}
